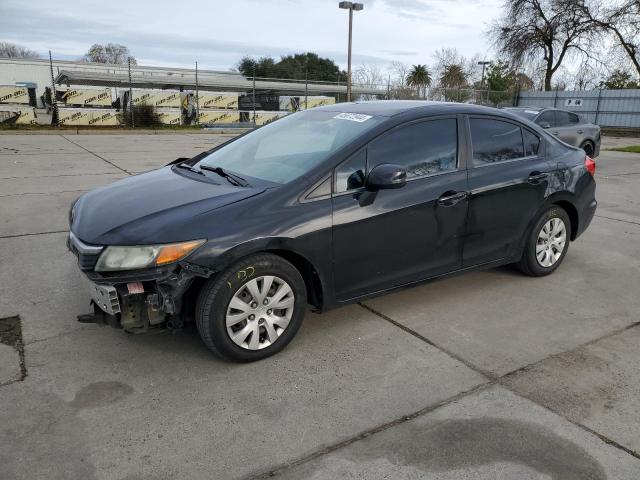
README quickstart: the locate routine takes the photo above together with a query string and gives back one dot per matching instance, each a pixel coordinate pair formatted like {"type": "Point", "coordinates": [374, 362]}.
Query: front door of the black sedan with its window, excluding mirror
{"type": "Point", "coordinates": [389, 238]}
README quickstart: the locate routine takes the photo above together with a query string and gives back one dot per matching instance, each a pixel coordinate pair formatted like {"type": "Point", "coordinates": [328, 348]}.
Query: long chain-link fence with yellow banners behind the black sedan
{"type": "Point", "coordinates": [79, 94]}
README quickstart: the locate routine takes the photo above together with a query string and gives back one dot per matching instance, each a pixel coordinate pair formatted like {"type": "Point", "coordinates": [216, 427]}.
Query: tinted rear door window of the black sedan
{"type": "Point", "coordinates": [495, 141]}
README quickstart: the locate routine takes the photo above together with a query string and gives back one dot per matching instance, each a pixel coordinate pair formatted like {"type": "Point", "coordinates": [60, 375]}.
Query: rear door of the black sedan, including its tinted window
{"type": "Point", "coordinates": [508, 177]}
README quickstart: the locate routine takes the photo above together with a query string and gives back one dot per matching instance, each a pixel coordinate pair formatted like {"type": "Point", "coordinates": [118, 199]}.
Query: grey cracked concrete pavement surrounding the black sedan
{"type": "Point", "coordinates": [490, 375]}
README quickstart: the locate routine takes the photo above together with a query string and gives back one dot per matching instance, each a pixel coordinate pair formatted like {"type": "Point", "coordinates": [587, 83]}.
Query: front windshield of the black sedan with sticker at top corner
{"type": "Point", "coordinates": [290, 147]}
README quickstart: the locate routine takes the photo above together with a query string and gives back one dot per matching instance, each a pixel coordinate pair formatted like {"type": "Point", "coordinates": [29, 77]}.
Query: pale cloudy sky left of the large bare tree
{"type": "Point", "coordinates": [218, 33]}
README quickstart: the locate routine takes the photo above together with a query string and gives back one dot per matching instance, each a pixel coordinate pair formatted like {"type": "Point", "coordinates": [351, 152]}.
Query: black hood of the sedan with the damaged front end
{"type": "Point", "coordinates": [160, 206]}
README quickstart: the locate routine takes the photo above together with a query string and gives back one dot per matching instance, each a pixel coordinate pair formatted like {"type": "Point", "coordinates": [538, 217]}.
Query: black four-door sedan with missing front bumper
{"type": "Point", "coordinates": [327, 207]}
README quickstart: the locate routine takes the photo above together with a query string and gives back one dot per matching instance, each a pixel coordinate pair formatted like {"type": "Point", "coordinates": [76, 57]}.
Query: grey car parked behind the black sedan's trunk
{"type": "Point", "coordinates": [567, 126]}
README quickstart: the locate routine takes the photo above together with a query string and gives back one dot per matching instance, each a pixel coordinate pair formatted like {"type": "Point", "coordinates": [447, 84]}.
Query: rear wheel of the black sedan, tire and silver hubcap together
{"type": "Point", "coordinates": [547, 249]}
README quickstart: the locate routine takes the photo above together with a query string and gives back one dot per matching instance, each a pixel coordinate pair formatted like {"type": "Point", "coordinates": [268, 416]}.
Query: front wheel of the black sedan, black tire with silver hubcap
{"type": "Point", "coordinates": [268, 330]}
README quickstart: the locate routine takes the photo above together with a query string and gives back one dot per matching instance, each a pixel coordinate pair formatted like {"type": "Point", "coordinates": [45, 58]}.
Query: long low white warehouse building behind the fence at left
{"type": "Point", "coordinates": [92, 94]}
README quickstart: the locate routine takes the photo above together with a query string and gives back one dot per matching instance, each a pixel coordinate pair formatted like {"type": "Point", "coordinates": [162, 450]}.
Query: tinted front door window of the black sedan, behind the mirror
{"type": "Point", "coordinates": [424, 148]}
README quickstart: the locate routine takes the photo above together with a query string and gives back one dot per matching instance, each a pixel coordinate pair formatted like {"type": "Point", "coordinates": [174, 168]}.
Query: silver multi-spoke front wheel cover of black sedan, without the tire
{"type": "Point", "coordinates": [259, 312]}
